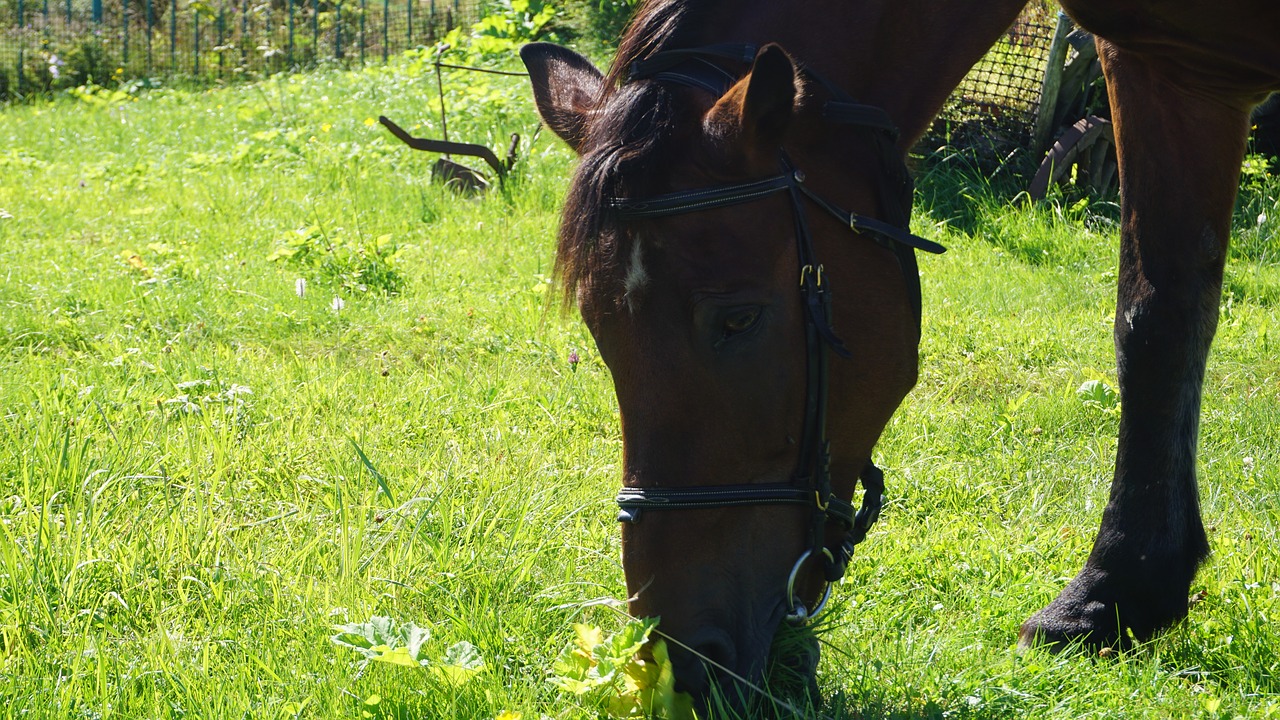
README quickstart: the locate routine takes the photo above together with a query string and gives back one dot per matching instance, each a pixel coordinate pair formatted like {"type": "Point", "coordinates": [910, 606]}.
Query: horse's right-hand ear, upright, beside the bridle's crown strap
{"type": "Point", "coordinates": [761, 113]}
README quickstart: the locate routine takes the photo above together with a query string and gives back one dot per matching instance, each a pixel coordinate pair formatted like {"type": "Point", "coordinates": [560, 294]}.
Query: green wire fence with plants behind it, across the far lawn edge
{"type": "Point", "coordinates": [53, 44]}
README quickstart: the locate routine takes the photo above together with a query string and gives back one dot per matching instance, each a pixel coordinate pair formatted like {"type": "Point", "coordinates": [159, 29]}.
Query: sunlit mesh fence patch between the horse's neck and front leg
{"type": "Point", "coordinates": [994, 110]}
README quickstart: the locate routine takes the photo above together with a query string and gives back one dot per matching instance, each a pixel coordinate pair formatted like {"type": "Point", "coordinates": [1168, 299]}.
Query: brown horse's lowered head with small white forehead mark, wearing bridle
{"type": "Point", "coordinates": [758, 344]}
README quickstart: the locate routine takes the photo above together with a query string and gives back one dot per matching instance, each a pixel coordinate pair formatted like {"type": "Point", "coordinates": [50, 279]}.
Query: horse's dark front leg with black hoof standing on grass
{"type": "Point", "coordinates": [1180, 148]}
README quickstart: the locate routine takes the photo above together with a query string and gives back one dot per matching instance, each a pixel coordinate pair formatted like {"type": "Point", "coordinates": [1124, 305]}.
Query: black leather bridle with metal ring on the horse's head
{"type": "Point", "coordinates": [811, 485]}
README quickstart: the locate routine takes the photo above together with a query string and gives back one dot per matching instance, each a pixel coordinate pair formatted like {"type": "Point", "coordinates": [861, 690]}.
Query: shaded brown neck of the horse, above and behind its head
{"type": "Point", "coordinates": [903, 56]}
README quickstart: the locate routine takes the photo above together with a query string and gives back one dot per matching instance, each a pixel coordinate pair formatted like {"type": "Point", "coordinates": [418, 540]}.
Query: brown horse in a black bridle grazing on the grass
{"type": "Point", "coordinates": [717, 170]}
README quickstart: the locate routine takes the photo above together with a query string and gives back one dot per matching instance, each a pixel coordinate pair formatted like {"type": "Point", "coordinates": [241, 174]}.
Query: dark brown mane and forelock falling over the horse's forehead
{"type": "Point", "coordinates": [633, 125]}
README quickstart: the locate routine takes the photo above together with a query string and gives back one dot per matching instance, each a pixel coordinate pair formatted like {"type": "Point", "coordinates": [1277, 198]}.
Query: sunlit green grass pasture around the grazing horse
{"type": "Point", "coordinates": [262, 377]}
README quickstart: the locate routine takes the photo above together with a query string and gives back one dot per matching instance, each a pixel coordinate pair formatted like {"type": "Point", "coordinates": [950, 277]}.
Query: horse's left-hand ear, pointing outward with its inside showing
{"type": "Point", "coordinates": [566, 88]}
